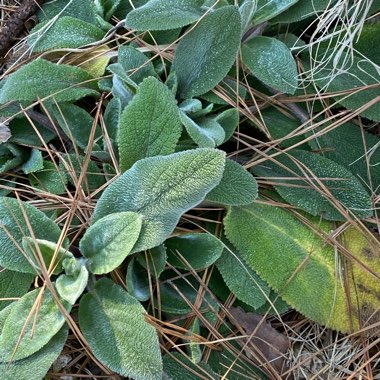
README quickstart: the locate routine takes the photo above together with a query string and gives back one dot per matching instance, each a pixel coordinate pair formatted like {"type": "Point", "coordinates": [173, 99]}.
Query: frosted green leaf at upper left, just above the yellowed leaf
{"type": "Point", "coordinates": [66, 32]}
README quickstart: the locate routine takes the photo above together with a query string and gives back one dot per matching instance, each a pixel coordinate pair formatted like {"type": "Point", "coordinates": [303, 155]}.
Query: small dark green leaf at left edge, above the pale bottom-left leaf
{"type": "Point", "coordinates": [13, 285]}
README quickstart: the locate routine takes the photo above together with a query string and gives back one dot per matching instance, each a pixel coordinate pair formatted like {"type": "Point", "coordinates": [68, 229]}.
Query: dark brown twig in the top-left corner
{"type": "Point", "coordinates": [15, 24]}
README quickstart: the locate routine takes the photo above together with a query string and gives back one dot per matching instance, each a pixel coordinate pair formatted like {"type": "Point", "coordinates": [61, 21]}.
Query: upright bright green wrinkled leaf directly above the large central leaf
{"type": "Point", "coordinates": [149, 125]}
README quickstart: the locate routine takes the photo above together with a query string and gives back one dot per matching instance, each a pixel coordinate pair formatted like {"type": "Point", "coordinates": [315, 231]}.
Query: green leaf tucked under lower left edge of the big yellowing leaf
{"type": "Point", "coordinates": [243, 282]}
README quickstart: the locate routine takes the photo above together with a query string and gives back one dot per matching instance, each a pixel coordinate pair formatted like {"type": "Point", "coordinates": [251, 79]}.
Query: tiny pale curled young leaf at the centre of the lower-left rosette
{"type": "Point", "coordinates": [71, 285]}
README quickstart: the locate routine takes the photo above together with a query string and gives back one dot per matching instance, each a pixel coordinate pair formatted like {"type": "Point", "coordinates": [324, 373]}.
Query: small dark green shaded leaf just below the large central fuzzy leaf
{"type": "Point", "coordinates": [200, 250]}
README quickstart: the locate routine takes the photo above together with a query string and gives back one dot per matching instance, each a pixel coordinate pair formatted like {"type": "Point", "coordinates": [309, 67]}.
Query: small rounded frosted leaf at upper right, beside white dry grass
{"type": "Point", "coordinates": [272, 62]}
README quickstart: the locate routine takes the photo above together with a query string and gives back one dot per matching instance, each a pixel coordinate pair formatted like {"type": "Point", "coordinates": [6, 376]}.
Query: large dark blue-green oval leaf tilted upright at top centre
{"type": "Point", "coordinates": [205, 55]}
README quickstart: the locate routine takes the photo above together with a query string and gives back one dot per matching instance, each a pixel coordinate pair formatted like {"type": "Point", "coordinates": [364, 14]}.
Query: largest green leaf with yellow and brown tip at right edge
{"type": "Point", "coordinates": [298, 264]}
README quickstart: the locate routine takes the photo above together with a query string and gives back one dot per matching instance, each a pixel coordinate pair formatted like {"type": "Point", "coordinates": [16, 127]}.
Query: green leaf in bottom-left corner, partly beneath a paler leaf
{"type": "Point", "coordinates": [37, 364]}
